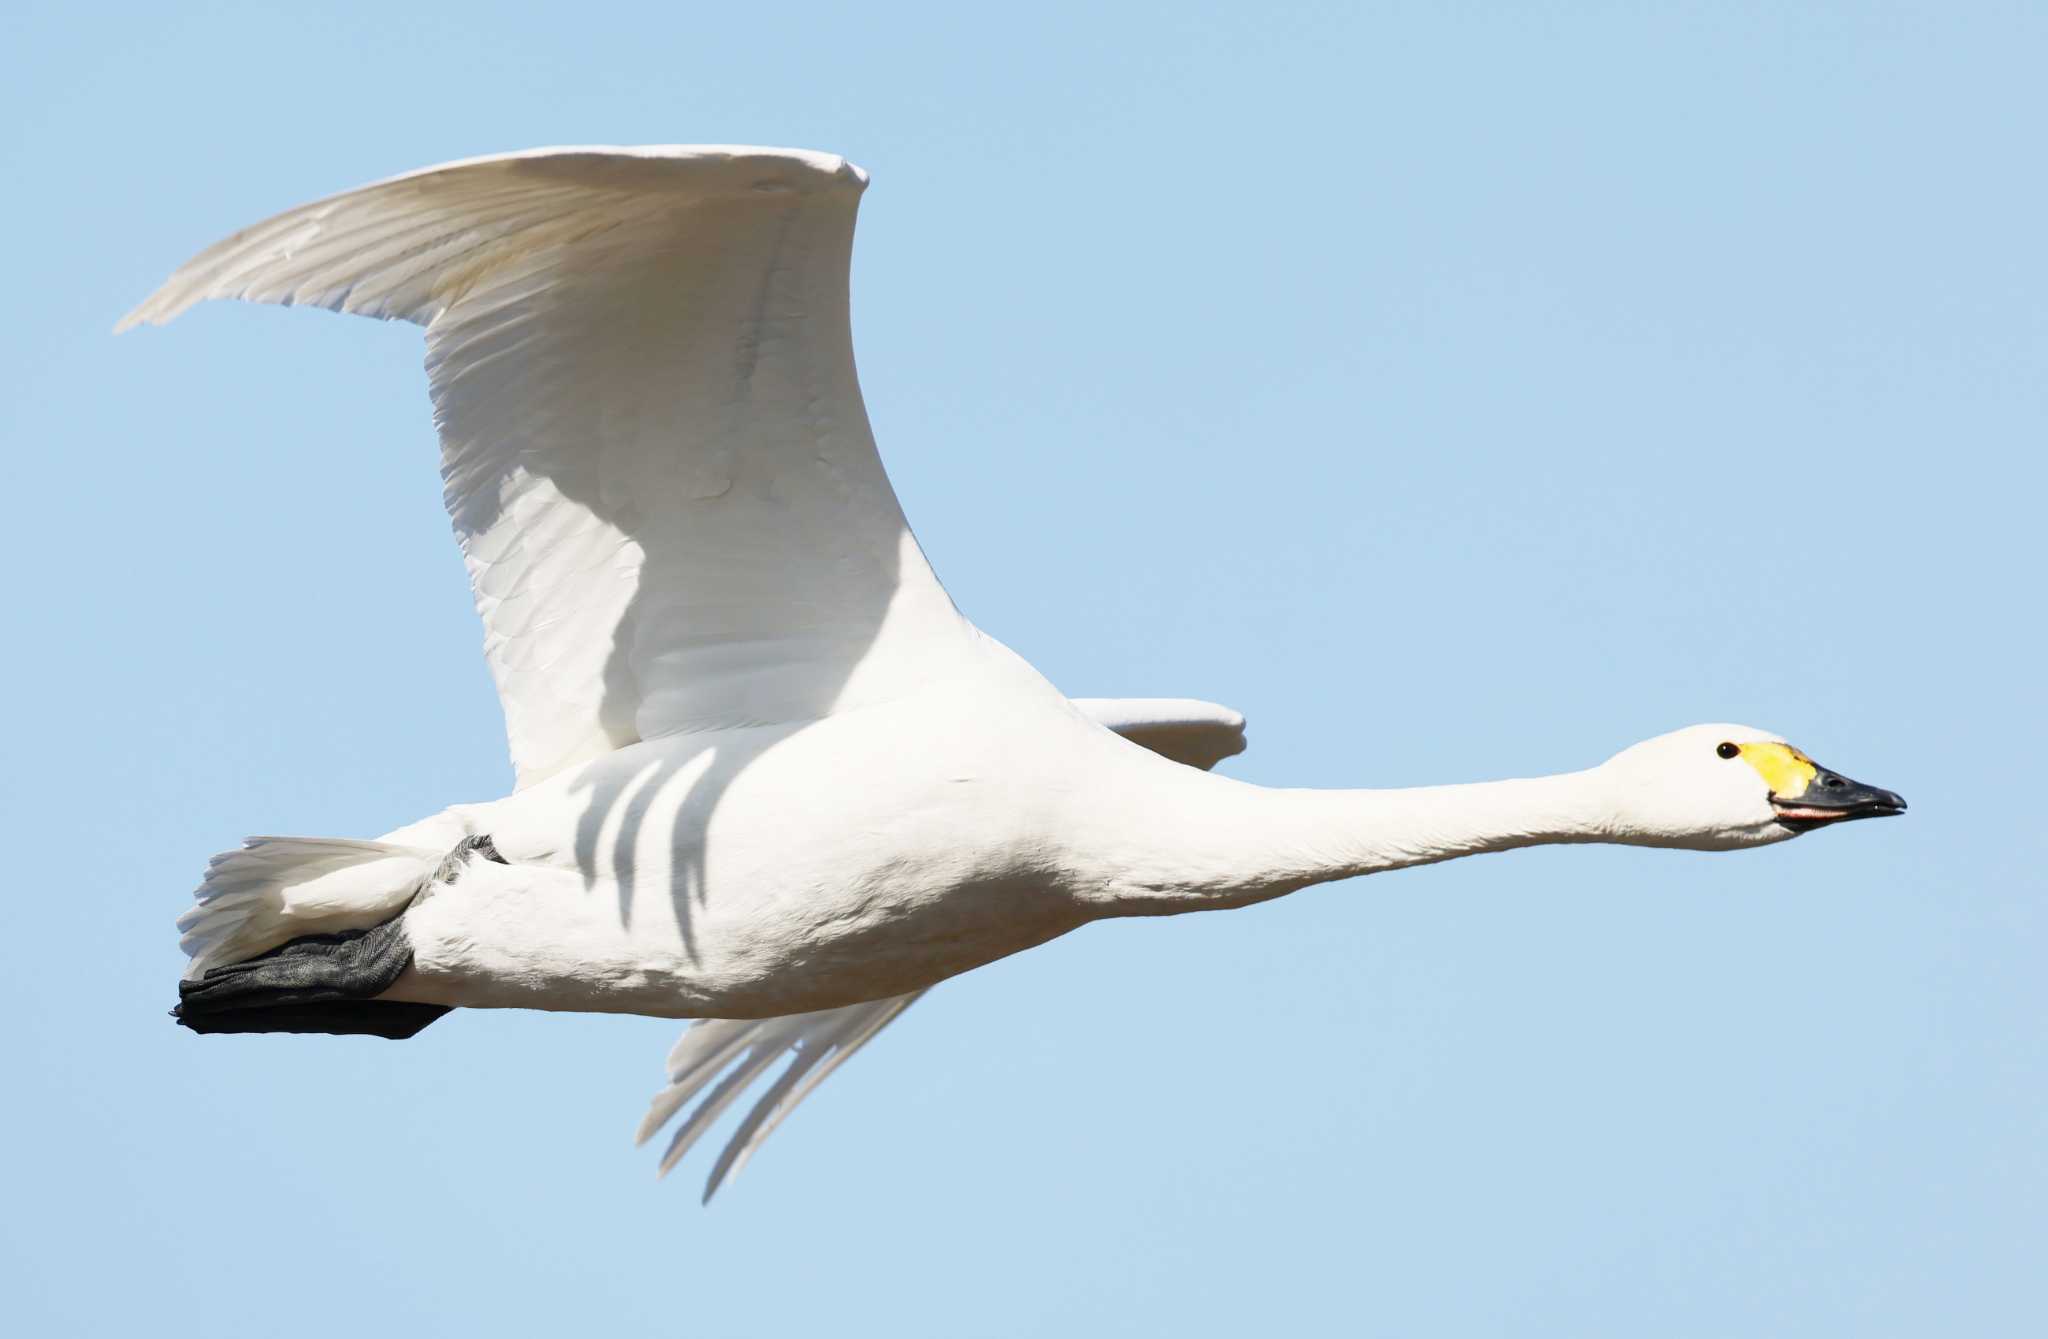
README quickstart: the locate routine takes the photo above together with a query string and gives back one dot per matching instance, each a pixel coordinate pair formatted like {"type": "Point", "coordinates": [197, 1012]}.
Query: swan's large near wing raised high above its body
{"type": "Point", "coordinates": [654, 445]}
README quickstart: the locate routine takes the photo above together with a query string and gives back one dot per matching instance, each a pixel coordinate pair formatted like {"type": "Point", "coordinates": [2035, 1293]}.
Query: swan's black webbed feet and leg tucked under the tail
{"type": "Point", "coordinates": [323, 982]}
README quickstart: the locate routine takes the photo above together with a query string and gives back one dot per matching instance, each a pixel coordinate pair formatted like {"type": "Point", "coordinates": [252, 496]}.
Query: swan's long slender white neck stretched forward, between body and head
{"type": "Point", "coordinates": [1218, 843]}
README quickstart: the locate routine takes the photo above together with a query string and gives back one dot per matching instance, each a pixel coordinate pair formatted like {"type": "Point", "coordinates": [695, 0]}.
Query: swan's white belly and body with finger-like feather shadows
{"type": "Point", "coordinates": [749, 875]}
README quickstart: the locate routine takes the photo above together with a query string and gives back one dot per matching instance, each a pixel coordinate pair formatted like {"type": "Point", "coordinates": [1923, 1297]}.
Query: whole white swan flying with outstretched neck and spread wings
{"type": "Point", "coordinates": [767, 775]}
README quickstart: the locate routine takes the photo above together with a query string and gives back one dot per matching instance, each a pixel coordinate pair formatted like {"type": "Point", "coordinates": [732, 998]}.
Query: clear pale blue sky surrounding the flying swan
{"type": "Point", "coordinates": [1461, 392]}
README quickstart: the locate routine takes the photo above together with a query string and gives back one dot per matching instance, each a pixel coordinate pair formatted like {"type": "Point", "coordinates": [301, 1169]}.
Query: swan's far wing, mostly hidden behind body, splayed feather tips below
{"type": "Point", "coordinates": [738, 1051]}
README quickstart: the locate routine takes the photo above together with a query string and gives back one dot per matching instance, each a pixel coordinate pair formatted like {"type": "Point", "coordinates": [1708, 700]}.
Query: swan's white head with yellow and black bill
{"type": "Point", "coordinates": [1723, 787]}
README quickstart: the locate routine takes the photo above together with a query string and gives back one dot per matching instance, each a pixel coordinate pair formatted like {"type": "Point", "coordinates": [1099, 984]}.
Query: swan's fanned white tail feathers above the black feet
{"type": "Point", "coordinates": [278, 890]}
